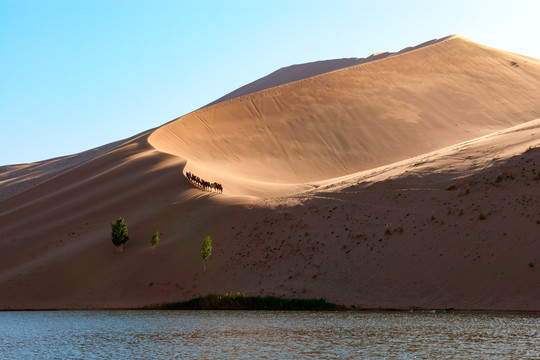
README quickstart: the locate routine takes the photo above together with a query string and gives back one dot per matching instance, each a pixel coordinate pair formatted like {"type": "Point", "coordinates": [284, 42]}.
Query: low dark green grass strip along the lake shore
{"type": "Point", "coordinates": [239, 301]}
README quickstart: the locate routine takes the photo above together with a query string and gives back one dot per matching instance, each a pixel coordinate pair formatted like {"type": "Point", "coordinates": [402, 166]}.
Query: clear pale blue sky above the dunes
{"type": "Point", "coordinates": [78, 74]}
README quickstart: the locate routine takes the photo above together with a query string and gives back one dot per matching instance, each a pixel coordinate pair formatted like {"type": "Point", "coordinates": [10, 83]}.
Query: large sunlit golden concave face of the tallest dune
{"type": "Point", "coordinates": [361, 116]}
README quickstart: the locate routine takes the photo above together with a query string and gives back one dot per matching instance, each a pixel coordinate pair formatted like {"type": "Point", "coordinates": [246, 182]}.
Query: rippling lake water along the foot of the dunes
{"type": "Point", "coordinates": [266, 335]}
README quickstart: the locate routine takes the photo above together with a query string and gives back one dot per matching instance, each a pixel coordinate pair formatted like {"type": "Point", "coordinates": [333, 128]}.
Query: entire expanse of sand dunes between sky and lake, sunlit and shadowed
{"type": "Point", "coordinates": [405, 180]}
